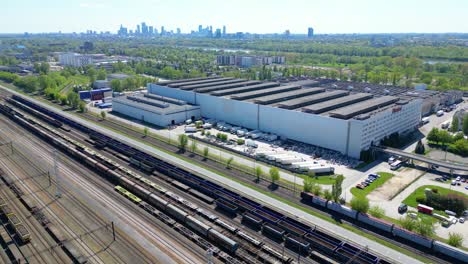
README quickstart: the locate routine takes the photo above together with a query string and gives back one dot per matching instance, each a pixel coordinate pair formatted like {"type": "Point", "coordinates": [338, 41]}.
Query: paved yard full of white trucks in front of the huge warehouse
{"type": "Point", "coordinates": [287, 154]}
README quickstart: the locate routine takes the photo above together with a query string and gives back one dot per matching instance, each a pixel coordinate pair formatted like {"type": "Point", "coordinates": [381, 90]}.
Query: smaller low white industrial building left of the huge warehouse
{"type": "Point", "coordinates": [154, 109]}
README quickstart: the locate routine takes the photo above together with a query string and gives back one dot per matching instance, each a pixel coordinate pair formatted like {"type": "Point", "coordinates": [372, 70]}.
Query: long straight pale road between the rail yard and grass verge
{"type": "Point", "coordinates": [373, 246]}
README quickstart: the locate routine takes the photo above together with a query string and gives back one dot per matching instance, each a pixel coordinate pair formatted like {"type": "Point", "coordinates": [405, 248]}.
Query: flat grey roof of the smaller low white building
{"type": "Point", "coordinates": [152, 105]}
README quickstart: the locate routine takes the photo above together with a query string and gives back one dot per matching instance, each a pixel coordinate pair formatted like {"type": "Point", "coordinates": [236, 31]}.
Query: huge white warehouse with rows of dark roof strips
{"type": "Point", "coordinates": [350, 123]}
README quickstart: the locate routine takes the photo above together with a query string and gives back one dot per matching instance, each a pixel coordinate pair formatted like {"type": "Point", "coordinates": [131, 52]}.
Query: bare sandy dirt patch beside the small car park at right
{"type": "Point", "coordinates": [392, 186]}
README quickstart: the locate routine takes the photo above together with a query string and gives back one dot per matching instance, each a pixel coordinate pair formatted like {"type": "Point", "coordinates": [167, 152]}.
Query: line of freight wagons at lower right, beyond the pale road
{"type": "Point", "coordinates": [388, 227]}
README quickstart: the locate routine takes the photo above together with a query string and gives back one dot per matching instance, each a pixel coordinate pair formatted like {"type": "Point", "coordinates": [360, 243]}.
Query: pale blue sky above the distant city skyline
{"type": "Point", "coordinates": [258, 16]}
